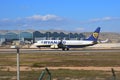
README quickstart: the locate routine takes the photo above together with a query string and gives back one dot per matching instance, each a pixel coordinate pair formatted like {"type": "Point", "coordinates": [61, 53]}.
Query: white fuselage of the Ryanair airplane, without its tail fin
{"type": "Point", "coordinates": [78, 43]}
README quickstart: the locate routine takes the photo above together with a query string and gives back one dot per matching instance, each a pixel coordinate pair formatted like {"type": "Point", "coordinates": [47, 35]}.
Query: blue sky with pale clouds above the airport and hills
{"type": "Point", "coordinates": [68, 15]}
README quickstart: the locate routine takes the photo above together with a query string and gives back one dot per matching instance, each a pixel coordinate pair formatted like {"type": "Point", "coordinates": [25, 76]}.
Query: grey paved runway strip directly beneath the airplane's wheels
{"type": "Point", "coordinates": [60, 51]}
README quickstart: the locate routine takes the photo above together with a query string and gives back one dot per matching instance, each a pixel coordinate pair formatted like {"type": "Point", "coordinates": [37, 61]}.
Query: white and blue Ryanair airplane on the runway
{"type": "Point", "coordinates": [67, 44]}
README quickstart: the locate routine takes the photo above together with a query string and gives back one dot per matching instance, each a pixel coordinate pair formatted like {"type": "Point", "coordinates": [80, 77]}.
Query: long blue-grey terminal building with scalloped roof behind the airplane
{"type": "Point", "coordinates": [8, 36]}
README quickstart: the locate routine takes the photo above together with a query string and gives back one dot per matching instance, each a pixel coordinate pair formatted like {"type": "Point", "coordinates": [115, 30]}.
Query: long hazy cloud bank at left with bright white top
{"type": "Point", "coordinates": [36, 21]}
